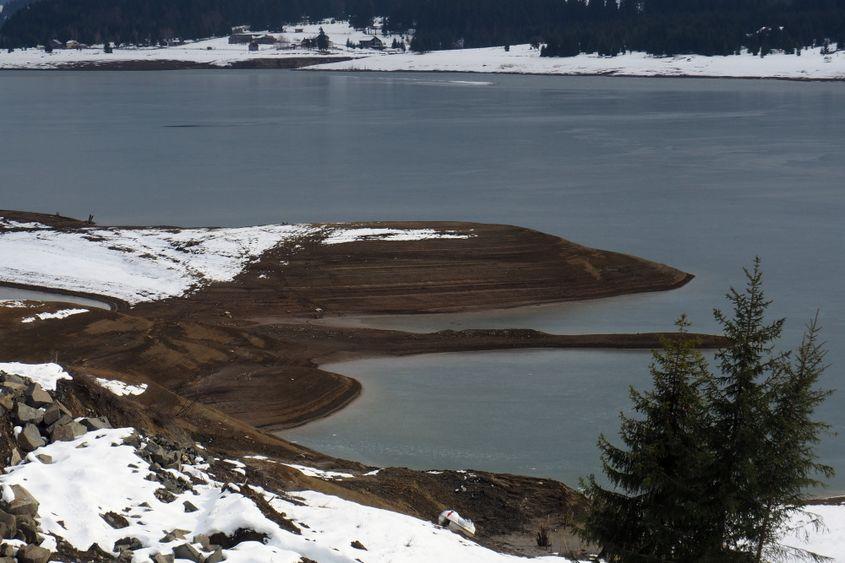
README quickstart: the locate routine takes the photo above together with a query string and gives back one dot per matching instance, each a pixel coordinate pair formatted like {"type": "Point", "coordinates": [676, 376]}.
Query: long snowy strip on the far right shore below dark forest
{"type": "Point", "coordinates": [522, 59]}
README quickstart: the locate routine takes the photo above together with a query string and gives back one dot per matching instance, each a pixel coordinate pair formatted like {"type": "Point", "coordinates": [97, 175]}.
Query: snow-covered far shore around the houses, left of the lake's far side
{"type": "Point", "coordinates": [214, 51]}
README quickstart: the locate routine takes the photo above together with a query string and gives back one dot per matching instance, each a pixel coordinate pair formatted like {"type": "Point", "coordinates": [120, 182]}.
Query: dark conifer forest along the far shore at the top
{"type": "Point", "coordinates": [563, 27]}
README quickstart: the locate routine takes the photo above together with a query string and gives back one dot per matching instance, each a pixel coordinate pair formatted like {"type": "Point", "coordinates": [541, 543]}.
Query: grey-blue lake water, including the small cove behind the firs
{"type": "Point", "coordinates": [700, 174]}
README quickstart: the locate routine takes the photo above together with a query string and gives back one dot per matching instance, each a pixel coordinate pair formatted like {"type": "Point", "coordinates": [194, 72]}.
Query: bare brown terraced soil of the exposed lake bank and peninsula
{"type": "Point", "coordinates": [233, 360]}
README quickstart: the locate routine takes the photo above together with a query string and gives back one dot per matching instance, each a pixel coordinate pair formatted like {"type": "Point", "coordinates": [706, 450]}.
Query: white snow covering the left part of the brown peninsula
{"type": "Point", "coordinates": [137, 265]}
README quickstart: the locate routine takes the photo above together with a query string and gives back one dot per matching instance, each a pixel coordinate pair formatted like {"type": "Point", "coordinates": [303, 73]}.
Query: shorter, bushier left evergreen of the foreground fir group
{"type": "Point", "coordinates": [652, 512]}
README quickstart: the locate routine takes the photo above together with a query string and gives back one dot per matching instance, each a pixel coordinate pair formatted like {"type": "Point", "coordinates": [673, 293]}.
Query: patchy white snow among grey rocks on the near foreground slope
{"type": "Point", "coordinates": [98, 474]}
